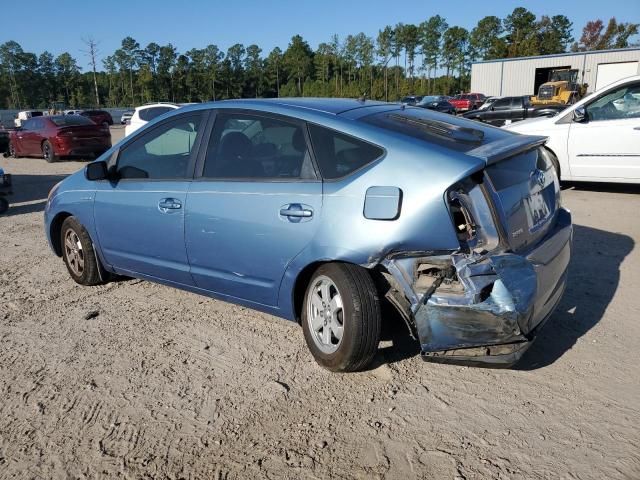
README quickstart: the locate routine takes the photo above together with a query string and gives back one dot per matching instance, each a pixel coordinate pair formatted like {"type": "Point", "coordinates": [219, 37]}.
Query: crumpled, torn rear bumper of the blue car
{"type": "Point", "coordinates": [490, 314]}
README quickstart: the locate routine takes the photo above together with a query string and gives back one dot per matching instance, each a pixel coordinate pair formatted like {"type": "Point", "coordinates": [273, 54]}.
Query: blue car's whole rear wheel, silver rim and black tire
{"type": "Point", "coordinates": [341, 317]}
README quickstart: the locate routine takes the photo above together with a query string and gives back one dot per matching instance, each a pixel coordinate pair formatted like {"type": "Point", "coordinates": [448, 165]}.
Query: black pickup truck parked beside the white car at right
{"type": "Point", "coordinates": [512, 109]}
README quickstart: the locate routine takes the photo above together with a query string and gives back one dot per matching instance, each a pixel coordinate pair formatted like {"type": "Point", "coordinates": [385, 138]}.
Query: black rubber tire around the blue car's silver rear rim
{"type": "Point", "coordinates": [361, 318]}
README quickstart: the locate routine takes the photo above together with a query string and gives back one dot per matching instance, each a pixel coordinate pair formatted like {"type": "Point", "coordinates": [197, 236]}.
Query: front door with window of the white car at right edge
{"type": "Point", "coordinates": [607, 144]}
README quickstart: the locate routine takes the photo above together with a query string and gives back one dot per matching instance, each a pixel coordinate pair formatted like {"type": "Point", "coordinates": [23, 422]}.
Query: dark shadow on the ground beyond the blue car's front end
{"type": "Point", "coordinates": [30, 193]}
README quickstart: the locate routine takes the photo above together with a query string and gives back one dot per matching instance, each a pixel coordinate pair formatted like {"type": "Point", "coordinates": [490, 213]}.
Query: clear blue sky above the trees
{"type": "Point", "coordinates": [60, 25]}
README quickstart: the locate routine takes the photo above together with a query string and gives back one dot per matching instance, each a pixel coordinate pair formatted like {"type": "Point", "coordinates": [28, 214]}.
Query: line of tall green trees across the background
{"type": "Point", "coordinates": [431, 57]}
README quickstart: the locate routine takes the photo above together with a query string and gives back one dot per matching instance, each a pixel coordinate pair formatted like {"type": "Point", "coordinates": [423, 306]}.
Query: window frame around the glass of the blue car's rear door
{"type": "Point", "coordinates": [202, 155]}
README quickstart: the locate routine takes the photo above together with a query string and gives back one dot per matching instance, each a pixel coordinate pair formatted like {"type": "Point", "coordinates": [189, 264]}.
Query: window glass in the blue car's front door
{"type": "Point", "coordinates": [162, 153]}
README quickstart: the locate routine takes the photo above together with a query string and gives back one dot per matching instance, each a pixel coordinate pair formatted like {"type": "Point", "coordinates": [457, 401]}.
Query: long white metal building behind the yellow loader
{"type": "Point", "coordinates": [523, 76]}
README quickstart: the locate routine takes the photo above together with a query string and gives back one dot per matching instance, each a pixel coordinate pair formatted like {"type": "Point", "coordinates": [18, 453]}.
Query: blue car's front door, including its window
{"type": "Point", "coordinates": [140, 216]}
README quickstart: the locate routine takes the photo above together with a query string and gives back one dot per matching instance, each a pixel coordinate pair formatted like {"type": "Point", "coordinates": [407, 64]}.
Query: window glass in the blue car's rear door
{"type": "Point", "coordinates": [245, 146]}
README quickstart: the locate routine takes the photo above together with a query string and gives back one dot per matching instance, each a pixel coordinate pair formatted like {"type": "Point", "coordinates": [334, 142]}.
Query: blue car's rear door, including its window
{"type": "Point", "coordinates": [255, 206]}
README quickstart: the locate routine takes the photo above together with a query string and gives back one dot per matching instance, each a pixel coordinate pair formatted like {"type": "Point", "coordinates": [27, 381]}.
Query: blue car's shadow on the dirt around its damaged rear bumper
{"type": "Point", "coordinates": [594, 275]}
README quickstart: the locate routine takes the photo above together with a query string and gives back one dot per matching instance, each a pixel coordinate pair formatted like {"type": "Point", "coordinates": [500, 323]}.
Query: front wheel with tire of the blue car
{"type": "Point", "coordinates": [89, 274]}
